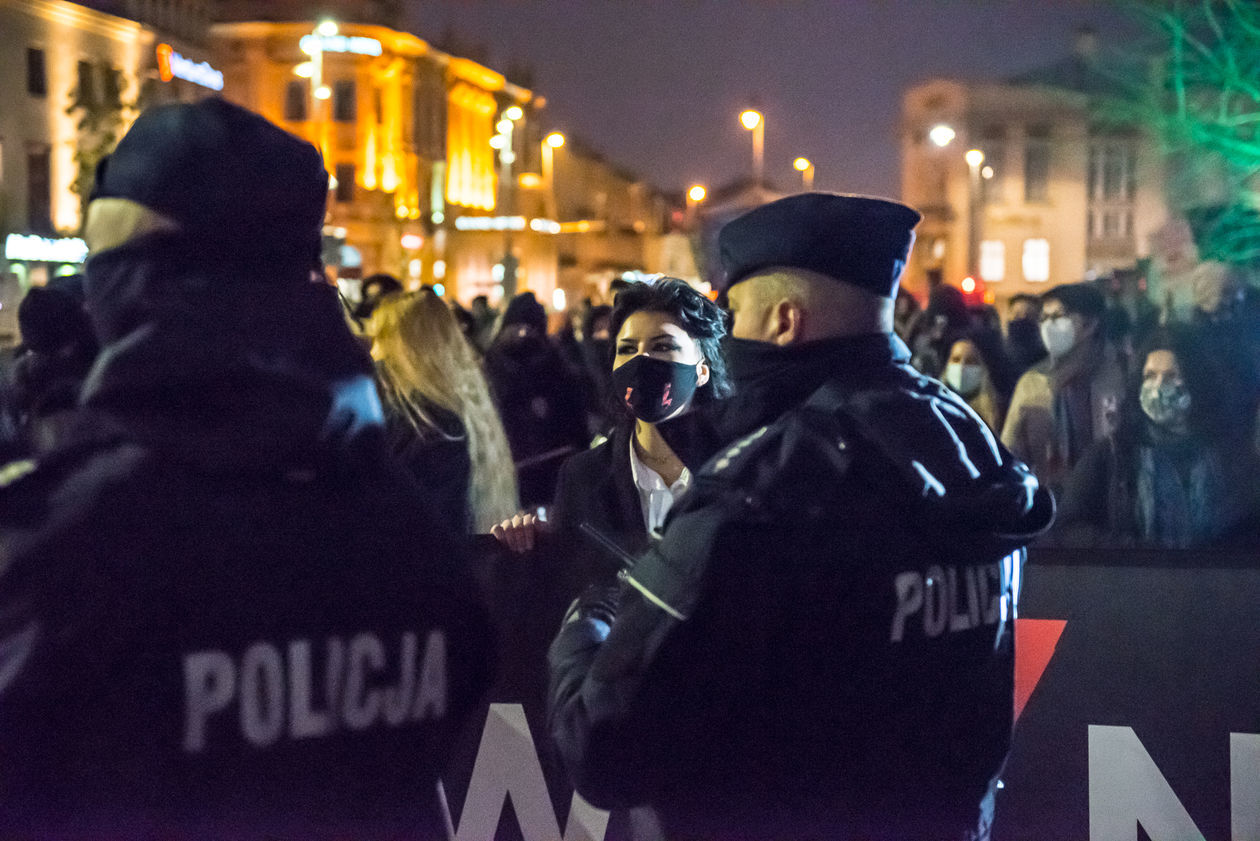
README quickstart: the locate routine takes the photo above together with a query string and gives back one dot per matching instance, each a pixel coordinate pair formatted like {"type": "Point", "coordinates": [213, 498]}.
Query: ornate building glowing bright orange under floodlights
{"type": "Point", "coordinates": [418, 190]}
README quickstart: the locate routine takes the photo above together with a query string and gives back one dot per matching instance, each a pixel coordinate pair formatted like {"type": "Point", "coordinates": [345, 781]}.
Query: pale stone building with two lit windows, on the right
{"type": "Point", "coordinates": [1021, 186]}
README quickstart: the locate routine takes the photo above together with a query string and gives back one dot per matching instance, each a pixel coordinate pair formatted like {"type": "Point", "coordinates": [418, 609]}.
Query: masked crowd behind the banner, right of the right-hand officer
{"type": "Point", "coordinates": [1142, 422]}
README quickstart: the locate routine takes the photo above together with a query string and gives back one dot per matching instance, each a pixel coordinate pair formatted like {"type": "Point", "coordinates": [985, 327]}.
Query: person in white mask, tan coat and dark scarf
{"type": "Point", "coordinates": [1065, 404]}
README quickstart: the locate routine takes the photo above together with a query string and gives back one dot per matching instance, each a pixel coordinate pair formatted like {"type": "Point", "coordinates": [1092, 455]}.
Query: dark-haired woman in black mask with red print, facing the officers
{"type": "Point", "coordinates": [666, 357]}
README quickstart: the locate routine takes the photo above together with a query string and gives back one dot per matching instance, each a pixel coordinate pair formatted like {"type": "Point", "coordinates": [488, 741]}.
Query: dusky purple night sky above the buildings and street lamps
{"type": "Point", "coordinates": [657, 86]}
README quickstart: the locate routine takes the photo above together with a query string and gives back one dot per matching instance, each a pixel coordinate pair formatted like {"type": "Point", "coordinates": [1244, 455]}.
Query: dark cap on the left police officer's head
{"type": "Point", "coordinates": [241, 187]}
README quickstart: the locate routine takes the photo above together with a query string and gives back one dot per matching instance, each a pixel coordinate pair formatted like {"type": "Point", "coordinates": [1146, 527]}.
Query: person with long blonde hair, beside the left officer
{"type": "Point", "coordinates": [440, 419]}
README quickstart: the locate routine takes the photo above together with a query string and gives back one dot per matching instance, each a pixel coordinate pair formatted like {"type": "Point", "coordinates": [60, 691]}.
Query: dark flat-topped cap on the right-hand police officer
{"type": "Point", "coordinates": [856, 239]}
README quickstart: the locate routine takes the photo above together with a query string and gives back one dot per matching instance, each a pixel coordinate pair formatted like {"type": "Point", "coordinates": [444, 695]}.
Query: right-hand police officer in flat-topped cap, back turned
{"type": "Point", "coordinates": [821, 644]}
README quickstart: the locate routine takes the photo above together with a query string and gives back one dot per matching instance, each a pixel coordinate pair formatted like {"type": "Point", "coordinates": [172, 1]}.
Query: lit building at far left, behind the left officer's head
{"type": "Point", "coordinates": [65, 61]}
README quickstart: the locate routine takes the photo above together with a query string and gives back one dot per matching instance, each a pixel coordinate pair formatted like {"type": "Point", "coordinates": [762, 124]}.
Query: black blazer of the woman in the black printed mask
{"type": "Point", "coordinates": [598, 487]}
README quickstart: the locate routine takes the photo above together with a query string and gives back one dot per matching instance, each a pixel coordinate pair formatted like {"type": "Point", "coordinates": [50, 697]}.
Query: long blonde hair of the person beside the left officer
{"type": "Point", "coordinates": [424, 359]}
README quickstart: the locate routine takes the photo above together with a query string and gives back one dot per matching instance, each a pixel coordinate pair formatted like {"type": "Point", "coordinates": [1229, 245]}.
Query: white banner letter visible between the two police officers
{"type": "Point", "coordinates": [507, 765]}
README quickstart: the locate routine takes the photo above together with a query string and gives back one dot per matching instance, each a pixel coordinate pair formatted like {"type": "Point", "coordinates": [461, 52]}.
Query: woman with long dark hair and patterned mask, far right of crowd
{"type": "Point", "coordinates": [1176, 475]}
